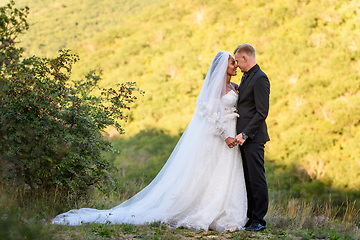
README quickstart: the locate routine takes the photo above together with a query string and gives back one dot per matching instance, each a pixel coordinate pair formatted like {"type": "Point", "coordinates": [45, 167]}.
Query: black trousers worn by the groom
{"type": "Point", "coordinates": [256, 186]}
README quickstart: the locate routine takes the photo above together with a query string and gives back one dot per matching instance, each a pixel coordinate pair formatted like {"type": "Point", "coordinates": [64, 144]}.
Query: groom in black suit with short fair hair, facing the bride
{"type": "Point", "coordinates": [253, 108]}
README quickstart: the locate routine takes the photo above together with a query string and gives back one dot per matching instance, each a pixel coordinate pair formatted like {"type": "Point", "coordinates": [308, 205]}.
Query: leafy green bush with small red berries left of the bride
{"type": "Point", "coordinates": [51, 126]}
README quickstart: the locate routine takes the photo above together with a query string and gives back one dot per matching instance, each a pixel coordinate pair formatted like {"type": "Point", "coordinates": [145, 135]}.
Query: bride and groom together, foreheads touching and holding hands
{"type": "Point", "coordinates": [208, 182]}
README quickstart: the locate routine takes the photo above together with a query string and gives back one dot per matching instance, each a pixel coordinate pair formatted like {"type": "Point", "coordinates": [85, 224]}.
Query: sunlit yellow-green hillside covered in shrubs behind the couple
{"type": "Point", "coordinates": [309, 50]}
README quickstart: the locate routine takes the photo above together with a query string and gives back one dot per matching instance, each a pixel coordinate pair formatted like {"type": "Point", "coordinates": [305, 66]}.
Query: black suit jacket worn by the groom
{"type": "Point", "coordinates": [253, 105]}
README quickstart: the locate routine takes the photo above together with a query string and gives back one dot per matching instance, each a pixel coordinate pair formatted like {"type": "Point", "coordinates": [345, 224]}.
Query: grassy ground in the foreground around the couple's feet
{"type": "Point", "coordinates": [23, 216]}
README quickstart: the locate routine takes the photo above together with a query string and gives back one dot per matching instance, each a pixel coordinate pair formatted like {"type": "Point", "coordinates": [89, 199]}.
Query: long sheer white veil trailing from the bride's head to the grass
{"type": "Point", "coordinates": [177, 190]}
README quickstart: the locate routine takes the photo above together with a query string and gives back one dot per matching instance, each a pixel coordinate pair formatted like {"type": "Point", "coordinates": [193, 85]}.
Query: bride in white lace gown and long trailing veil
{"type": "Point", "coordinates": [201, 186]}
